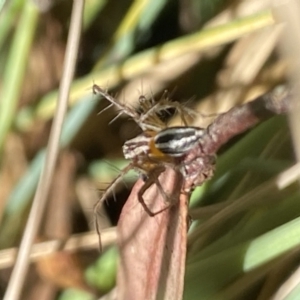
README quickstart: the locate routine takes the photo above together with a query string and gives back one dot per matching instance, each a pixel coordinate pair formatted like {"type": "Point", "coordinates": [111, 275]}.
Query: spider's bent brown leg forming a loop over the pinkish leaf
{"type": "Point", "coordinates": [153, 178]}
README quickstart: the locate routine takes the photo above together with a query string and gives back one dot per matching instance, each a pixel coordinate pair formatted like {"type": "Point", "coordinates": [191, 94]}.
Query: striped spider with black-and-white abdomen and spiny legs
{"type": "Point", "coordinates": [159, 146]}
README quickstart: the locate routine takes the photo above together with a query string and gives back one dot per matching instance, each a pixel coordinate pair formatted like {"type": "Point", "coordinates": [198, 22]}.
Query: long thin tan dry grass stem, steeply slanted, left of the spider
{"type": "Point", "coordinates": [19, 273]}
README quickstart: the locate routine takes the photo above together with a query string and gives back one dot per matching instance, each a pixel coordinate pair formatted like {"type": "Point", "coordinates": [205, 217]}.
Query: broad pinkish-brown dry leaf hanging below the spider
{"type": "Point", "coordinates": [153, 249]}
